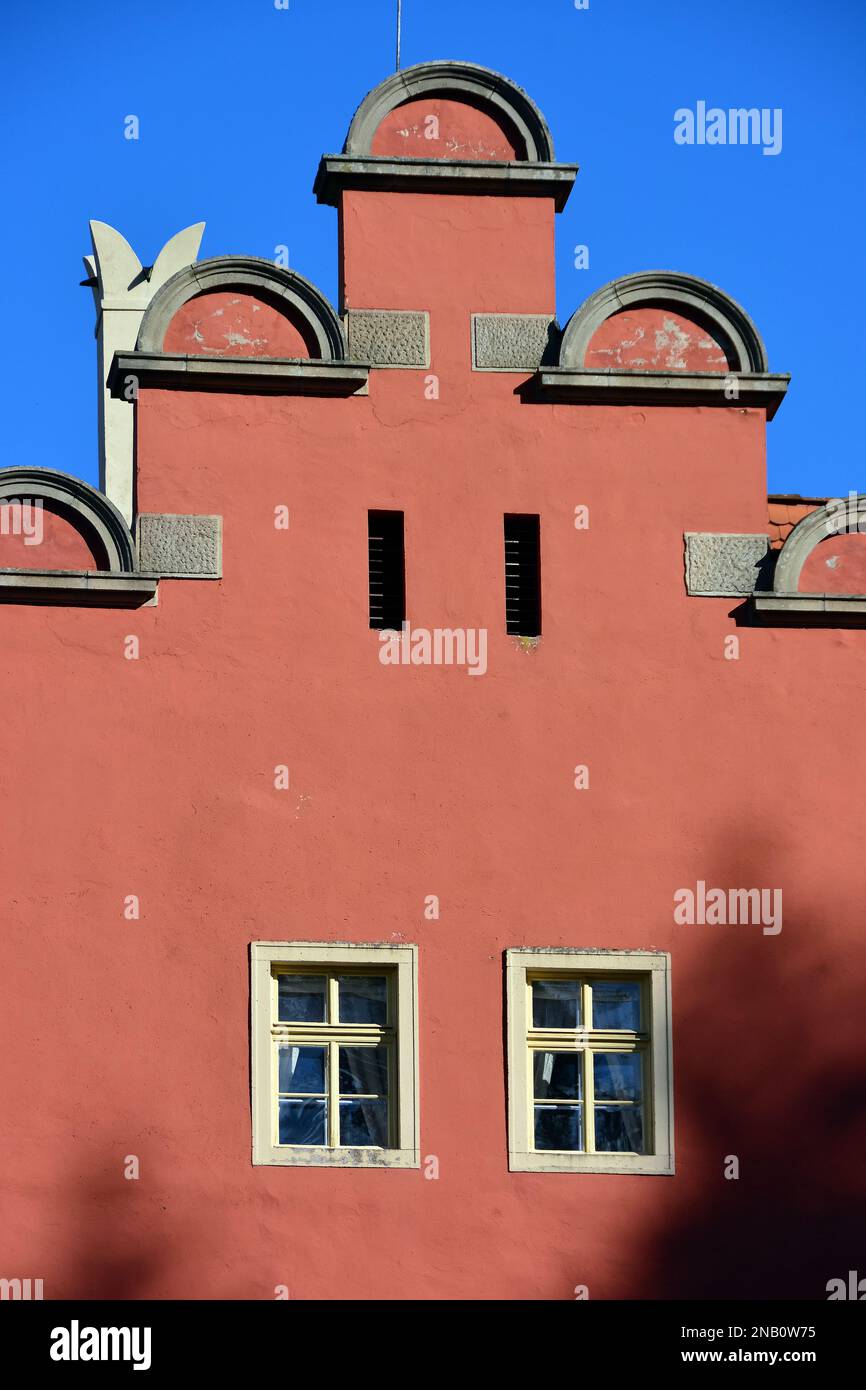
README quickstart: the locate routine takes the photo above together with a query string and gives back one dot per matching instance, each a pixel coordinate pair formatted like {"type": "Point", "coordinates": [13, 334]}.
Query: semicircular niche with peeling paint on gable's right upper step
{"type": "Point", "coordinates": [662, 322]}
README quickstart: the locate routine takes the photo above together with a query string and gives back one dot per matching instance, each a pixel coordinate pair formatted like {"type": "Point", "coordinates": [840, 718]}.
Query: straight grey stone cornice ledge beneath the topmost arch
{"type": "Point", "coordinates": [412, 176]}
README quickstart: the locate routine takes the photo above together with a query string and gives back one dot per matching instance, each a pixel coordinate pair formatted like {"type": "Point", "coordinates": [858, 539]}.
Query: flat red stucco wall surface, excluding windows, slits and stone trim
{"type": "Point", "coordinates": [156, 778]}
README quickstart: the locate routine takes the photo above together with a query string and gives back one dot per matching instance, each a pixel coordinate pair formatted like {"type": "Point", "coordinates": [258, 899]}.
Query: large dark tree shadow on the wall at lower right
{"type": "Point", "coordinates": [769, 1070]}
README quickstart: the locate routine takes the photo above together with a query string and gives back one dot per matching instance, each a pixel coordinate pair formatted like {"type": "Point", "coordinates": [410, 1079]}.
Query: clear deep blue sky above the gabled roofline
{"type": "Point", "coordinates": [238, 101]}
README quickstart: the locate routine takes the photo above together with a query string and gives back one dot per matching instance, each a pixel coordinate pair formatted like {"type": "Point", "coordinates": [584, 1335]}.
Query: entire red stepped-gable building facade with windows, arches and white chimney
{"type": "Point", "coordinates": [512, 957]}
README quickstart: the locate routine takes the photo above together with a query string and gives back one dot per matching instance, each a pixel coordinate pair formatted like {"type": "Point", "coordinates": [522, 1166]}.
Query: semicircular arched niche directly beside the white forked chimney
{"type": "Point", "coordinates": [241, 306]}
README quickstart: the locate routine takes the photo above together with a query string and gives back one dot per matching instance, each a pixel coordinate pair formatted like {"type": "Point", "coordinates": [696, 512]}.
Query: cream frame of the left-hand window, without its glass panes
{"type": "Point", "coordinates": [401, 965]}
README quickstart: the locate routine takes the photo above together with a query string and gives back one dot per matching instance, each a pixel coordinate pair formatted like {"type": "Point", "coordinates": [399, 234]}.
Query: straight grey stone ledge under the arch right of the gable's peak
{"type": "Point", "coordinates": [587, 387]}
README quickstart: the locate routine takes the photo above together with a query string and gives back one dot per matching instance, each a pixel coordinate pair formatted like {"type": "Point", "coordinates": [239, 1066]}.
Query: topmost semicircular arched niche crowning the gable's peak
{"type": "Point", "coordinates": [482, 116]}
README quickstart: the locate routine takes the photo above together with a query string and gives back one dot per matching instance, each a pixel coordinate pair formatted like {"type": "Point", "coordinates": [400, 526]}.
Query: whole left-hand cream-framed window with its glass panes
{"type": "Point", "coordinates": [336, 1054]}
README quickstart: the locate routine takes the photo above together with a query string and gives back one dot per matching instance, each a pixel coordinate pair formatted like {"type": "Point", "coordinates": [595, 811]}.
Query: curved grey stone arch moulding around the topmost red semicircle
{"type": "Point", "coordinates": [462, 81]}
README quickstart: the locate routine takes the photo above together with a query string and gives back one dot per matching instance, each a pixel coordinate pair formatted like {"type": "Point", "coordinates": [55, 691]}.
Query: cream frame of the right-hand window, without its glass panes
{"type": "Point", "coordinates": [654, 971]}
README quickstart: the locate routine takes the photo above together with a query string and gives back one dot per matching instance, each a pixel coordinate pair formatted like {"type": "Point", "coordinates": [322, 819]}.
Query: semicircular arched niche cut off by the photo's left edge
{"type": "Point", "coordinates": [79, 526]}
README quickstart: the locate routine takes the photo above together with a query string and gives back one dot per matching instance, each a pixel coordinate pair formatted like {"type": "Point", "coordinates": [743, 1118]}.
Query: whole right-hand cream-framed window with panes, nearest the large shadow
{"type": "Point", "coordinates": [590, 1061]}
